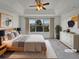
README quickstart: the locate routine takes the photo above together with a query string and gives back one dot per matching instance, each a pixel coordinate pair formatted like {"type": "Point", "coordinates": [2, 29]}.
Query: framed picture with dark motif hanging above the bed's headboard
{"type": "Point", "coordinates": [6, 20]}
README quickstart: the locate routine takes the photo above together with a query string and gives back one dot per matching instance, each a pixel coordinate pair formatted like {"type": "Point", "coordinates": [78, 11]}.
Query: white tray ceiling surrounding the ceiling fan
{"type": "Point", "coordinates": [56, 7]}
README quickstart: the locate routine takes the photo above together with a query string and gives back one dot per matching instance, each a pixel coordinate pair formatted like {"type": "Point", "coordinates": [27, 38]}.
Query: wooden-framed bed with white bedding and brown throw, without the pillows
{"type": "Point", "coordinates": [27, 43]}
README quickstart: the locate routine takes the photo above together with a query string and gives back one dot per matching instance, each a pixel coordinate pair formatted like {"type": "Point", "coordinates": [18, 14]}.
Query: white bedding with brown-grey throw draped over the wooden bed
{"type": "Point", "coordinates": [28, 42]}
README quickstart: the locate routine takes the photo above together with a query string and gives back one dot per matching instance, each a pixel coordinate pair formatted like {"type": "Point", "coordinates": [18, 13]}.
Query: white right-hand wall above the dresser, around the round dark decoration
{"type": "Point", "coordinates": [67, 16]}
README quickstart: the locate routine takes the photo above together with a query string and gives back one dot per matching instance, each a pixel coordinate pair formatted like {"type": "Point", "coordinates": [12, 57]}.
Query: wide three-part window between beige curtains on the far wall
{"type": "Point", "coordinates": [40, 25]}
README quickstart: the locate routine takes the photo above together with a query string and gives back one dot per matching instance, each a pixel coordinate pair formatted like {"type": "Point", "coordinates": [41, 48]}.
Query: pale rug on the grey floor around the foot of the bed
{"type": "Point", "coordinates": [50, 53]}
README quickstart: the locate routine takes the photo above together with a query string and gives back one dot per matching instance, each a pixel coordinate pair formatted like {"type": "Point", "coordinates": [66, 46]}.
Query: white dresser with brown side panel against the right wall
{"type": "Point", "coordinates": [70, 39]}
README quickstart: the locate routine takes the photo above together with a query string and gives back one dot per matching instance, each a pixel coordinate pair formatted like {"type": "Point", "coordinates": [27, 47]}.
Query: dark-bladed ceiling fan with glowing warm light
{"type": "Point", "coordinates": [39, 5]}
